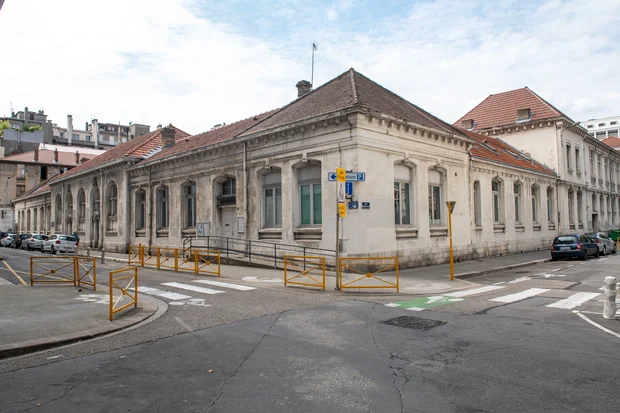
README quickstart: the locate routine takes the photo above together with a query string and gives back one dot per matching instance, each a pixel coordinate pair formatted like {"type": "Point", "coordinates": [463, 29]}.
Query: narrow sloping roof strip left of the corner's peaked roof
{"type": "Point", "coordinates": [211, 137]}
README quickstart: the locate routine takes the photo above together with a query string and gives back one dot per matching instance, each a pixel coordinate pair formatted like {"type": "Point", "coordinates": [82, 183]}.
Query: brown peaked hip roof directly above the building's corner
{"type": "Point", "coordinates": [350, 89]}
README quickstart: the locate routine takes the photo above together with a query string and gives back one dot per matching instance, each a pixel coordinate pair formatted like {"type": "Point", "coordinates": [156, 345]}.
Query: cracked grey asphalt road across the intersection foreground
{"type": "Point", "coordinates": [515, 345]}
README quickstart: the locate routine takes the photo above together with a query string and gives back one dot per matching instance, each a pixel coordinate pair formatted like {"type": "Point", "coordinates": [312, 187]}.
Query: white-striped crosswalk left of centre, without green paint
{"type": "Point", "coordinates": [164, 291]}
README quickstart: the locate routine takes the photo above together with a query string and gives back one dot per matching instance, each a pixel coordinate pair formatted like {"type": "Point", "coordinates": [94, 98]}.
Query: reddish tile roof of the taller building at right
{"type": "Point", "coordinates": [501, 109]}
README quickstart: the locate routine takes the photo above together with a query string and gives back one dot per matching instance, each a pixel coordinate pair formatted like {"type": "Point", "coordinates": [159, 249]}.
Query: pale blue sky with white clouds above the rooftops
{"type": "Point", "coordinates": [197, 63]}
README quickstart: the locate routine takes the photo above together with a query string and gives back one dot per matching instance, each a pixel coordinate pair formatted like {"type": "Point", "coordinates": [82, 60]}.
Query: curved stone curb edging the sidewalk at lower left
{"type": "Point", "coordinates": [156, 307]}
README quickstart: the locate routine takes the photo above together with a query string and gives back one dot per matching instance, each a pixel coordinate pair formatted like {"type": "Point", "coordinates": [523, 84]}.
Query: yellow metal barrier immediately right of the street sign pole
{"type": "Point", "coordinates": [369, 272]}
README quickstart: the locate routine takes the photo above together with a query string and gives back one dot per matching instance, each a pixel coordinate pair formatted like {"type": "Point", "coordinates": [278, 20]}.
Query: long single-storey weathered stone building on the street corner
{"type": "Point", "coordinates": [268, 178]}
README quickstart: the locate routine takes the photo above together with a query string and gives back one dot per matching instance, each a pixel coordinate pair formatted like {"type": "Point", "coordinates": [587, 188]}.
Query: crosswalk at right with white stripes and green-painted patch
{"type": "Point", "coordinates": [489, 294]}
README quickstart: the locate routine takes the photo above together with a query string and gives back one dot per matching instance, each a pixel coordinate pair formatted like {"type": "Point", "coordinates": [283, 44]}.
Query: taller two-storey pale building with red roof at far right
{"type": "Point", "coordinates": [588, 170]}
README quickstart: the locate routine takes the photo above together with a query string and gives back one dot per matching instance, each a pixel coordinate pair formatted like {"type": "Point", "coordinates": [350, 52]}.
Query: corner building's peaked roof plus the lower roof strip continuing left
{"type": "Point", "coordinates": [350, 89]}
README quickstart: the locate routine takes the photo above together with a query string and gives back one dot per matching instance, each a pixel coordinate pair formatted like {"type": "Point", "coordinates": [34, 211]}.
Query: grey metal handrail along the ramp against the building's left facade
{"type": "Point", "coordinates": [256, 249]}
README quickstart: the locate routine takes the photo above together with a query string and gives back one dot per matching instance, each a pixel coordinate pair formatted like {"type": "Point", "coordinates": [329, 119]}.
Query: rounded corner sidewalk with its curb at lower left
{"type": "Point", "coordinates": [41, 317]}
